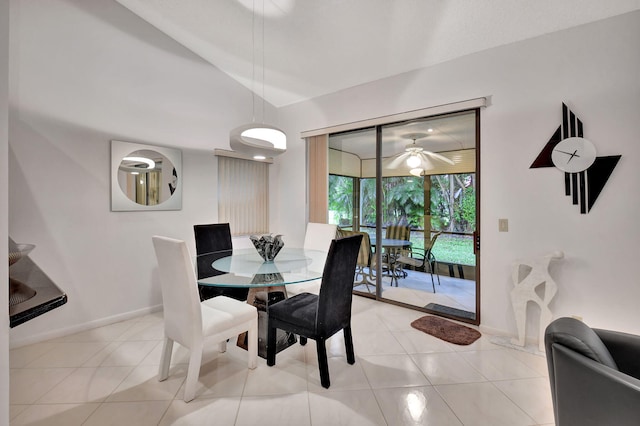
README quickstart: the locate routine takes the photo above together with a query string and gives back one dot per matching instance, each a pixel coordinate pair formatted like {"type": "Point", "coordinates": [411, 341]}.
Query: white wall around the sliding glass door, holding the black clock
{"type": "Point", "coordinates": [595, 69]}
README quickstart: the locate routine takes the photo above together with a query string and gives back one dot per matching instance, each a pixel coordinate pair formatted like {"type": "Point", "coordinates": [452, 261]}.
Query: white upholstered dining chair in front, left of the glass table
{"type": "Point", "coordinates": [189, 321]}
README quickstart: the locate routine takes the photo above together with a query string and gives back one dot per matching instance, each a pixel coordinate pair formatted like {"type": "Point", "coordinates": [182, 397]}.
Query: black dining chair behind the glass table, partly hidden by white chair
{"type": "Point", "coordinates": [212, 241]}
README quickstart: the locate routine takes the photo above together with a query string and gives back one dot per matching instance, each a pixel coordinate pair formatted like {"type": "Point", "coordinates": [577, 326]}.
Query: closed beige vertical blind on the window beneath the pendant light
{"type": "Point", "coordinates": [243, 195]}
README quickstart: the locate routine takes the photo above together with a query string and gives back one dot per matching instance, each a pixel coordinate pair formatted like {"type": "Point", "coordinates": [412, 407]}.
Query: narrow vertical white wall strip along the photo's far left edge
{"type": "Point", "coordinates": [4, 181]}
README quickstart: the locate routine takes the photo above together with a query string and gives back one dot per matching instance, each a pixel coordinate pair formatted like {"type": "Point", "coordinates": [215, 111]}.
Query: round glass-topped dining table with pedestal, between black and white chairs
{"type": "Point", "coordinates": [266, 281]}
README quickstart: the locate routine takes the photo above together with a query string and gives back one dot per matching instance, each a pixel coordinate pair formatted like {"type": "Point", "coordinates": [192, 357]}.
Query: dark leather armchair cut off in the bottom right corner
{"type": "Point", "coordinates": [594, 374]}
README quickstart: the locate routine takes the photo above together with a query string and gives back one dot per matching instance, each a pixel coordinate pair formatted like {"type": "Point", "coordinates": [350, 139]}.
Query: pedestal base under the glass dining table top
{"type": "Point", "coordinates": [261, 298]}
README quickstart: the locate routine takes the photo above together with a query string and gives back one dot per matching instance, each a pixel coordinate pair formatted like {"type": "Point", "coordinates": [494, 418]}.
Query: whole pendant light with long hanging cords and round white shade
{"type": "Point", "coordinates": [258, 140]}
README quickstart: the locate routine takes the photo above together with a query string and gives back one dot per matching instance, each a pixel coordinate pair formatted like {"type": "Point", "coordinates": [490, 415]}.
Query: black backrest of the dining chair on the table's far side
{"type": "Point", "coordinates": [211, 241]}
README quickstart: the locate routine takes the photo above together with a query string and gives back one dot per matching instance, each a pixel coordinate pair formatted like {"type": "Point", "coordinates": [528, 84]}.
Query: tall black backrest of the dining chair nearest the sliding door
{"type": "Point", "coordinates": [334, 302]}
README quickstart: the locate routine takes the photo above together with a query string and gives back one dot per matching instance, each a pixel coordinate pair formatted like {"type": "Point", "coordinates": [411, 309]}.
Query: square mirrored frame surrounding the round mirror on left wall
{"type": "Point", "coordinates": [119, 201]}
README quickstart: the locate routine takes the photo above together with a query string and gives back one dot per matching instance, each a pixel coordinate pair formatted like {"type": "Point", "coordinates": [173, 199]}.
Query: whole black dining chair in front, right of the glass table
{"type": "Point", "coordinates": [319, 317]}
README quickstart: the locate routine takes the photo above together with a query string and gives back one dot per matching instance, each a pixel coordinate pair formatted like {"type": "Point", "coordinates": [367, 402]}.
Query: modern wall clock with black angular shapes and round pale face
{"type": "Point", "coordinates": [585, 173]}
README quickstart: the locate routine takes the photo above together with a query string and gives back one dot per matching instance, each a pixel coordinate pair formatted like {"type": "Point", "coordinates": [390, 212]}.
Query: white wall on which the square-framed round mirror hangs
{"type": "Point", "coordinates": [89, 72]}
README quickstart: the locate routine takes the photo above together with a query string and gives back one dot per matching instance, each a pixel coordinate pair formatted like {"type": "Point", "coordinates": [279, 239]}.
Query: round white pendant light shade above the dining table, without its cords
{"type": "Point", "coordinates": [258, 139]}
